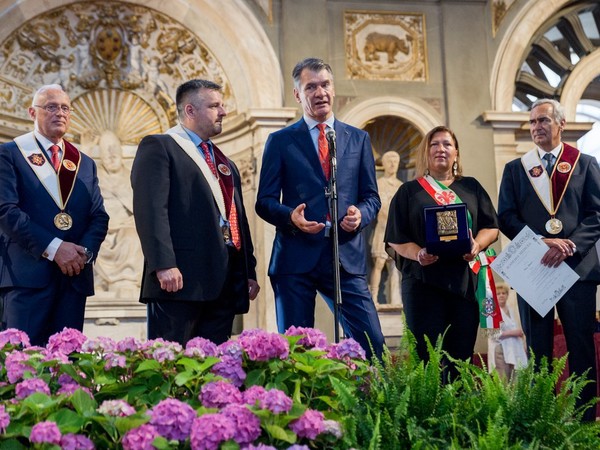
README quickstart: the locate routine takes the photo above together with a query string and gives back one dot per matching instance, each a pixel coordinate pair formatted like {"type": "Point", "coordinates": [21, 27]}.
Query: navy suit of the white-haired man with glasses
{"type": "Point", "coordinates": [37, 297]}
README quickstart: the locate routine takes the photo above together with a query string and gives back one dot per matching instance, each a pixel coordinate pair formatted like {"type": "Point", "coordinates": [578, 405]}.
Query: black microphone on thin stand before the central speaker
{"type": "Point", "coordinates": [331, 193]}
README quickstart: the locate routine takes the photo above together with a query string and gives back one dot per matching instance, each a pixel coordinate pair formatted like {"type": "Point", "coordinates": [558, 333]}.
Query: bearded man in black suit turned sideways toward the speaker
{"type": "Point", "coordinates": [199, 266]}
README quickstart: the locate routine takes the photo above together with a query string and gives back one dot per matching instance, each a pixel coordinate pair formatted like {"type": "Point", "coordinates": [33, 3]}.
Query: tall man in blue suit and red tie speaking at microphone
{"type": "Point", "coordinates": [291, 196]}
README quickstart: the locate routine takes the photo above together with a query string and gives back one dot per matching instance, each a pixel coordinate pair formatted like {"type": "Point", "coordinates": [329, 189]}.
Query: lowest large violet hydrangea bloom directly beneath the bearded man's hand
{"type": "Point", "coordinates": [172, 419]}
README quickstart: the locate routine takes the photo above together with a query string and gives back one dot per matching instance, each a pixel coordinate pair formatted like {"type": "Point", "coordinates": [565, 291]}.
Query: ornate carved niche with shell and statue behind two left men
{"type": "Point", "coordinates": [121, 64]}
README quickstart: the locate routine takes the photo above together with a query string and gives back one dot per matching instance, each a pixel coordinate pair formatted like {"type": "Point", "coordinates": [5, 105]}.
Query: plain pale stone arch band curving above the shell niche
{"type": "Point", "coordinates": [222, 23]}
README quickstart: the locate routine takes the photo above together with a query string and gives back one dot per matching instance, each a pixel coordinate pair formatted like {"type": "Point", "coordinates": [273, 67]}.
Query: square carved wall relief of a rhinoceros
{"type": "Point", "coordinates": [385, 46]}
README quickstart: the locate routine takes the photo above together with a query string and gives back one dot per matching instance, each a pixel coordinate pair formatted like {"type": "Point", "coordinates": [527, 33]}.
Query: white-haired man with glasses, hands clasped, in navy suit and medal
{"type": "Point", "coordinates": [52, 222]}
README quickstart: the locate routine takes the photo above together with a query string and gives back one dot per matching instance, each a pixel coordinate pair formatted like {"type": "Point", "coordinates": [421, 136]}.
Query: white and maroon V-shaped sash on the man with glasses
{"type": "Point", "coordinates": [59, 185]}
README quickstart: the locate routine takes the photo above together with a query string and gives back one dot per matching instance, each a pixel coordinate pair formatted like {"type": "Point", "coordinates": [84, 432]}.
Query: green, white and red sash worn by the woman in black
{"type": "Point", "coordinates": [490, 316]}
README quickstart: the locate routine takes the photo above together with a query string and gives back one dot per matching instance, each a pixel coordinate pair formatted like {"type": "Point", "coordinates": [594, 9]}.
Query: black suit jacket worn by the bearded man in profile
{"type": "Point", "coordinates": [177, 220]}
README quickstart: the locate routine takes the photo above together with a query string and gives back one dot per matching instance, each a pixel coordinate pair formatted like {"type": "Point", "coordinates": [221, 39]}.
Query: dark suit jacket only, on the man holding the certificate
{"type": "Point", "coordinates": [579, 212]}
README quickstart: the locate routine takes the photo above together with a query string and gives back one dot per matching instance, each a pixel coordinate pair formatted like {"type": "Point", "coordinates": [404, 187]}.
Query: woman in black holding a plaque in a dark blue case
{"type": "Point", "coordinates": [438, 289]}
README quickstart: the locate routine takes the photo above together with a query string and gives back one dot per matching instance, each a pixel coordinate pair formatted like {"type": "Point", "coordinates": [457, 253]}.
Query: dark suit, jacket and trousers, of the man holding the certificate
{"type": "Point", "coordinates": [579, 212]}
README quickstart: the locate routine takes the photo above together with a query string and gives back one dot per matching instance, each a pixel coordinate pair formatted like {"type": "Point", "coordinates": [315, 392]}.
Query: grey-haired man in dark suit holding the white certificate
{"type": "Point", "coordinates": [560, 201]}
